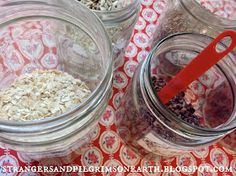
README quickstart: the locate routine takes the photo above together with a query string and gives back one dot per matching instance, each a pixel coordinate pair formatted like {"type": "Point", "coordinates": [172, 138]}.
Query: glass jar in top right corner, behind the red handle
{"type": "Point", "coordinates": [191, 16]}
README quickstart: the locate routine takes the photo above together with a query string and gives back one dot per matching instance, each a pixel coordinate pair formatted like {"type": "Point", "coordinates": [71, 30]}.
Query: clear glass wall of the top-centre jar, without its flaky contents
{"type": "Point", "coordinates": [119, 25]}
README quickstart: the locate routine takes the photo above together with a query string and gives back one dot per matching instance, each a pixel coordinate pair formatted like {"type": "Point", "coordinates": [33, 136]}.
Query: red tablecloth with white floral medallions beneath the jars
{"type": "Point", "coordinates": [106, 149]}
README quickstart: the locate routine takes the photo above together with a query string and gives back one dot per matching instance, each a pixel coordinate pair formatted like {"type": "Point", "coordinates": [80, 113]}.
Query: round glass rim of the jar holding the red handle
{"type": "Point", "coordinates": [157, 102]}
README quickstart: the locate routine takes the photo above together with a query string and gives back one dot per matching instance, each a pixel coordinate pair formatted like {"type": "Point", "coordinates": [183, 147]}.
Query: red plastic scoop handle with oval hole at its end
{"type": "Point", "coordinates": [199, 65]}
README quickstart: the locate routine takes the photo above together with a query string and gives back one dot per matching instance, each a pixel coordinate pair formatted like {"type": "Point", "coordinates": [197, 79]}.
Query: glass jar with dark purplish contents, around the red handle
{"type": "Point", "coordinates": [199, 116]}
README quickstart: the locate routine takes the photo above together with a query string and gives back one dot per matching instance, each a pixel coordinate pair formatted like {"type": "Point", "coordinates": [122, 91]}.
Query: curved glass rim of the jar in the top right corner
{"type": "Point", "coordinates": [205, 14]}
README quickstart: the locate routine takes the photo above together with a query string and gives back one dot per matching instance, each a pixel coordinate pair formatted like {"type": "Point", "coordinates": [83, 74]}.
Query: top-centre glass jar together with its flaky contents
{"type": "Point", "coordinates": [118, 23]}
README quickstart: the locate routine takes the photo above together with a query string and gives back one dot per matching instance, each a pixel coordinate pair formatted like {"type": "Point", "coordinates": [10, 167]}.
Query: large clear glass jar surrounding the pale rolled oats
{"type": "Point", "coordinates": [40, 34]}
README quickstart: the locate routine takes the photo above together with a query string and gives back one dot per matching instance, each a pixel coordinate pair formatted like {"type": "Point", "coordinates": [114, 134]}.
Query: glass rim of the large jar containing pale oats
{"type": "Point", "coordinates": [101, 89]}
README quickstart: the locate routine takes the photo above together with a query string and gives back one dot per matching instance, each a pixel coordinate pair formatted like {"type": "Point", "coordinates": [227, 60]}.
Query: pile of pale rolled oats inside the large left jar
{"type": "Point", "coordinates": [41, 94]}
